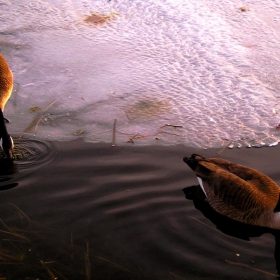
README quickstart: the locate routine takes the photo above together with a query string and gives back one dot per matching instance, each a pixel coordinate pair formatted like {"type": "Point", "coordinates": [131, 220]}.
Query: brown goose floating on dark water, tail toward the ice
{"type": "Point", "coordinates": [239, 192]}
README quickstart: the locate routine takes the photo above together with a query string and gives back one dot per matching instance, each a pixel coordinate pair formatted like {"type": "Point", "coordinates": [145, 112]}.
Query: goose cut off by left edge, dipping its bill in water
{"type": "Point", "coordinates": [6, 87]}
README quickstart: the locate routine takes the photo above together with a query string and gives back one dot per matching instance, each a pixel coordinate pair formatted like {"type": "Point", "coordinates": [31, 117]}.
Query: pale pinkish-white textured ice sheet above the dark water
{"type": "Point", "coordinates": [204, 66]}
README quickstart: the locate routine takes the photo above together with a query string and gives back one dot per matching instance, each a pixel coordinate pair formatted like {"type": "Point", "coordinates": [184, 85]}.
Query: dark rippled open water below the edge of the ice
{"type": "Point", "coordinates": [76, 210]}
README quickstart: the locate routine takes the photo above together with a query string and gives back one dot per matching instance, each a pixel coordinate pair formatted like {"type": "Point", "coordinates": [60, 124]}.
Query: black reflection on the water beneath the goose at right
{"type": "Point", "coordinates": [231, 227]}
